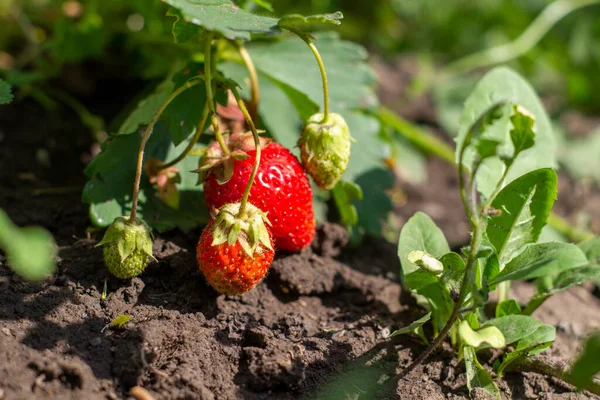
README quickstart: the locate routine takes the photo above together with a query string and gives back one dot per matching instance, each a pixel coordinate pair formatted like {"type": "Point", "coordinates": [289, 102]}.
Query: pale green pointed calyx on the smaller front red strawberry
{"type": "Point", "coordinates": [250, 230]}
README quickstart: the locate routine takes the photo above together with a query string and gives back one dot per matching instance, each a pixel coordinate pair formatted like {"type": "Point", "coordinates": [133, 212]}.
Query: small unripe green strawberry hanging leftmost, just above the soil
{"type": "Point", "coordinates": [127, 247]}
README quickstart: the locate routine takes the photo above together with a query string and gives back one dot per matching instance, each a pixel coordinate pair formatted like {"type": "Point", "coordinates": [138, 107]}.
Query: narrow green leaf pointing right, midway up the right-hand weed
{"type": "Point", "coordinates": [542, 259]}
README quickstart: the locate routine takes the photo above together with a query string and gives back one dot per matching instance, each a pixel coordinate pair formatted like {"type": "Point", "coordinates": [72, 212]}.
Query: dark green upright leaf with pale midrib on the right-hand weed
{"type": "Point", "coordinates": [524, 206]}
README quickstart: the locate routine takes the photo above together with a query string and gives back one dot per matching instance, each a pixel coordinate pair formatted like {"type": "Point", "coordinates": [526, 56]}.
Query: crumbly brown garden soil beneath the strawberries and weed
{"type": "Point", "coordinates": [315, 328]}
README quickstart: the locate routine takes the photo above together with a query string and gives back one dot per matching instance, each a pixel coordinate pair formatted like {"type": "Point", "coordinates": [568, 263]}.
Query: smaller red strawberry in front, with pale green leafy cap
{"type": "Point", "coordinates": [234, 253]}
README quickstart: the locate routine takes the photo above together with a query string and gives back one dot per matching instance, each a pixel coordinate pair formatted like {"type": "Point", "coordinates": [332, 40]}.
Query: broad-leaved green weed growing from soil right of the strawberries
{"type": "Point", "coordinates": [508, 187]}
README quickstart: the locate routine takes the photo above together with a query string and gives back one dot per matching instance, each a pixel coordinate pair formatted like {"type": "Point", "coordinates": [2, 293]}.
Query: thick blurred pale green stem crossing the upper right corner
{"type": "Point", "coordinates": [551, 15]}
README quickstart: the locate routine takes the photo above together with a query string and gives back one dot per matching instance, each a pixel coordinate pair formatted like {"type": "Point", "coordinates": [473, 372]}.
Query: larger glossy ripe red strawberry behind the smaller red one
{"type": "Point", "coordinates": [281, 188]}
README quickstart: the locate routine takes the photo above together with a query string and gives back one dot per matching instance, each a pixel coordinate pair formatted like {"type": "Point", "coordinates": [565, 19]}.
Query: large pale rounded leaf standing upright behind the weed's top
{"type": "Point", "coordinates": [503, 85]}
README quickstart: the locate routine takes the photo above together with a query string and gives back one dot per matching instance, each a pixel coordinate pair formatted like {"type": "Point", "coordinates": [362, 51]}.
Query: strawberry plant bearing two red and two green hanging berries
{"type": "Point", "coordinates": [257, 194]}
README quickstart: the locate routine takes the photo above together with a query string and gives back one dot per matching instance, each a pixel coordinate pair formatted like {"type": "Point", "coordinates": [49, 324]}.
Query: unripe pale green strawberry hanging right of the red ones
{"type": "Point", "coordinates": [325, 148]}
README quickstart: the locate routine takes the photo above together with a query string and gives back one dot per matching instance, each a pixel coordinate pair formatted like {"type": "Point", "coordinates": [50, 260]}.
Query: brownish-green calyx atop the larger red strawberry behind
{"type": "Point", "coordinates": [221, 164]}
